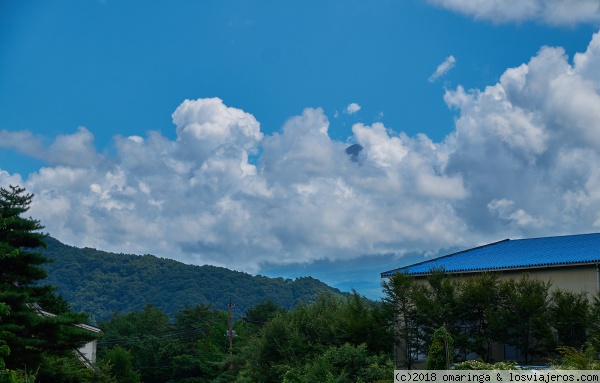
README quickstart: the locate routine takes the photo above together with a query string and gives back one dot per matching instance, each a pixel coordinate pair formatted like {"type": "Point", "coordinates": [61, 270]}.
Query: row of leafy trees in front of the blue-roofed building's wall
{"type": "Point", "coordinates": [480, 310]}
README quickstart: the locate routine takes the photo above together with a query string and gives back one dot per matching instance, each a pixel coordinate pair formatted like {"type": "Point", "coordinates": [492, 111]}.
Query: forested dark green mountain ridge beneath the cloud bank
{"type": "Point", "coordinates": [101, 283]}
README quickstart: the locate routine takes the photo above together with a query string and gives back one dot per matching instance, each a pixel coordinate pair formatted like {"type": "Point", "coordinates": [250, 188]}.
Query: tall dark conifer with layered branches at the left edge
{"type": "Point", "coordinates": [28, 334]}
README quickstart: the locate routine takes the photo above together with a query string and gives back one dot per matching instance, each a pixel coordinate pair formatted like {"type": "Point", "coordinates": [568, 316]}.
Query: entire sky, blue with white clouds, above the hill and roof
{"type": "Point", "coordinates": [248, 173]}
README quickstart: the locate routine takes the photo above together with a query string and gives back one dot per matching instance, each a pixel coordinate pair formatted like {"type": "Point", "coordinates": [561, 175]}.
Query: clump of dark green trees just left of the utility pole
{"type": "Point", "coordinates": [191, 349]}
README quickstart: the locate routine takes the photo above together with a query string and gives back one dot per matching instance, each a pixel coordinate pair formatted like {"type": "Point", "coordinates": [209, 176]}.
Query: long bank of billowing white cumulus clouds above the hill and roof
{"type": "Point", "coordinates": [522, 161]}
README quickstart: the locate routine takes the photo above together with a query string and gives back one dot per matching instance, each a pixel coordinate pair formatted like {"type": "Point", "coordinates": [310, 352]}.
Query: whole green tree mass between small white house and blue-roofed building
{"type": "Point", "coordinates": [333, 339]}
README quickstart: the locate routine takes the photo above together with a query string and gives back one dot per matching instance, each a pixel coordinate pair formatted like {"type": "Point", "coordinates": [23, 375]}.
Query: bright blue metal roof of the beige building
{"type": "Point", "coordinates": [509, 254]}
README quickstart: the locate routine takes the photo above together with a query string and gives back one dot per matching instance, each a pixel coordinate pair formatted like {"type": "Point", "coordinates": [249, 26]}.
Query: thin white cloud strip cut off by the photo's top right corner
{"type": "Point", "coordinates": [555, 12]}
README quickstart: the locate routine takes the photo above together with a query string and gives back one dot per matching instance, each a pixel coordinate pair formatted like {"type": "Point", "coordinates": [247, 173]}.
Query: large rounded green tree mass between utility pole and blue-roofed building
{"type": "Point", "coordinates": [312, 340]}
